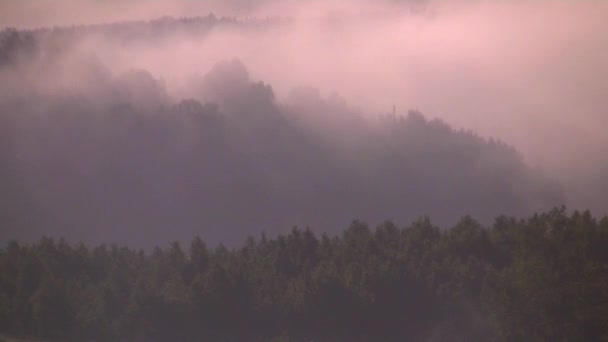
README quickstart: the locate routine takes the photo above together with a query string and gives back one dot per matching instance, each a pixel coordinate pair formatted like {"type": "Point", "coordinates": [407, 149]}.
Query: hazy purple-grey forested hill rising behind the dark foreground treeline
{"type": "Point", "coordinates": [118, 159]}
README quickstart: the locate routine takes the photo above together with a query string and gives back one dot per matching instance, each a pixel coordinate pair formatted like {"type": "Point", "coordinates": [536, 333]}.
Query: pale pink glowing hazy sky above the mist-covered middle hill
{"type": "Point", "coordinates": [533, 73]}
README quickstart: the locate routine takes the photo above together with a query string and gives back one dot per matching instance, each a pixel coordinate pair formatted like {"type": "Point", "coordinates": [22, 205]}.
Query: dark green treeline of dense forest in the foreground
{"type": "Point", "coordinates": [544, 278]}
